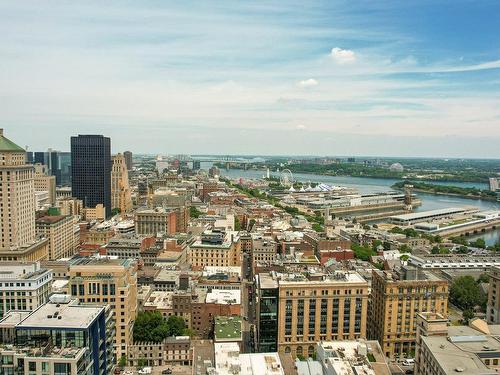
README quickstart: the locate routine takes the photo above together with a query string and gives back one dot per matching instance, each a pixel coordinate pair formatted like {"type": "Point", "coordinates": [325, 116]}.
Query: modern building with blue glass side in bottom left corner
{"type": "Point", "coordinates": [59, 337]}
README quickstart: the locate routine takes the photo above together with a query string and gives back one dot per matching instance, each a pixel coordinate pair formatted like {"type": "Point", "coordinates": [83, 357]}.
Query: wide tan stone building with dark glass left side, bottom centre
{"type": "Point", "coordinates": [311, 307]}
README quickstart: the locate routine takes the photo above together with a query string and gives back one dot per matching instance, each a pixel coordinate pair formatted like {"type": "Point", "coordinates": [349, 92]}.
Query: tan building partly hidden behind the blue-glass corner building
{"type": "Point", "coordinates": [109, 282]}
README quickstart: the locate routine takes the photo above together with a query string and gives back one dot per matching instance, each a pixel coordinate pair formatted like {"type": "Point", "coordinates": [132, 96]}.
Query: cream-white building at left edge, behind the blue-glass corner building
{"type": "Point", "coordinates": [23, 286]}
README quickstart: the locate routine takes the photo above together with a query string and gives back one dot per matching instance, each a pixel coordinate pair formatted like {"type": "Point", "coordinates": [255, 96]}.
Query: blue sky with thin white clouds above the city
{"type": "Point", "coordinates": [411, 78]}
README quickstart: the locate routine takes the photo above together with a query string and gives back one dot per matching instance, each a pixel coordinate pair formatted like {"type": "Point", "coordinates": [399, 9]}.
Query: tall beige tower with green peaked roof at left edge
{"type": "Point", "coordinates": [17, 200]}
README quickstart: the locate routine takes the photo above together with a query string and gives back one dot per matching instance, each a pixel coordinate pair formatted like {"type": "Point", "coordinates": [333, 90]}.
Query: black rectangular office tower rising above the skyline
{"type": "Point", "coordinates": [91, 170]}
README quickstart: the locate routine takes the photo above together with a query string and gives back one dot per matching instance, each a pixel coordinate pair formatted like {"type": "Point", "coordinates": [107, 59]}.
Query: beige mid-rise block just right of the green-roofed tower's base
{"type": "Point", "coordinates": [63, 235]}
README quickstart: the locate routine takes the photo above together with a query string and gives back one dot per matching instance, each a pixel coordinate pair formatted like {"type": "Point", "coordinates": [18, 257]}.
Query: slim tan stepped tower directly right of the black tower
{"type": "Point", "coordinates": [120, 190]}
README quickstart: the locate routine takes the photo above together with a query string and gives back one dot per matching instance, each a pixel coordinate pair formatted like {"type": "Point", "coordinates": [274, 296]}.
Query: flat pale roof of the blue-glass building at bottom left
{"type": "Point", "coordinates": [68, 315]}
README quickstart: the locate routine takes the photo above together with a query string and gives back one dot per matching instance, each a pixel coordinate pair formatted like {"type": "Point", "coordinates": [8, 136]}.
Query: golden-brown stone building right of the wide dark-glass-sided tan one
{"type": "Point", "coordinates": [396, 301]}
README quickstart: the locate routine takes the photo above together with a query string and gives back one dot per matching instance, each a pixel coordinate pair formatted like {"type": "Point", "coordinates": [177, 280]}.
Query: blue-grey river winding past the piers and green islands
{"type": "Point", "coordinates": [367, 185]}
